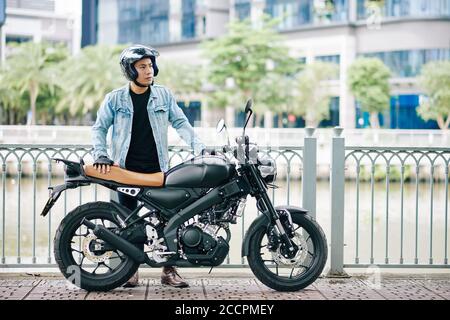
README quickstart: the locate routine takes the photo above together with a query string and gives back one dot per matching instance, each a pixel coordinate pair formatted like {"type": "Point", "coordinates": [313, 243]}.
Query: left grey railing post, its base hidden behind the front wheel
{"type": "Point", "coordinates": [309, 171]}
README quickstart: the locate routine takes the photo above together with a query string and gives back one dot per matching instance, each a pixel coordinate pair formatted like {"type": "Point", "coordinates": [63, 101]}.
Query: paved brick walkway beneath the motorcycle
{"type": "Point", "coordinates": [233, 286]}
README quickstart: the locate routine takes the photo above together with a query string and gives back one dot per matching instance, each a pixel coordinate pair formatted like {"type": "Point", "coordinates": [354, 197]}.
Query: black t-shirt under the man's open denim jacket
{"type": "Point", "coordinates": [142, 154]}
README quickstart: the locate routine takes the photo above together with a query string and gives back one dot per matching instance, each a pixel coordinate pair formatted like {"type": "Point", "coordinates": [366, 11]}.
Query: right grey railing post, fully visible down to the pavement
{"type": "Point", "coordinates": [337, 184]}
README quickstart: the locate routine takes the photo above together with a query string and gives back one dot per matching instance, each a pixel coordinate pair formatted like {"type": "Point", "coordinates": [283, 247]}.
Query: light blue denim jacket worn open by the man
{"type": "Point", "coordinates": [116, 110]}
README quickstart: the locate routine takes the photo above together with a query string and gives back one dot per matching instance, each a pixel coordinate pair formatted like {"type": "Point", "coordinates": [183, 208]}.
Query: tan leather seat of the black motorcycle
{"type": "Point", "coordinates": [127, 177]}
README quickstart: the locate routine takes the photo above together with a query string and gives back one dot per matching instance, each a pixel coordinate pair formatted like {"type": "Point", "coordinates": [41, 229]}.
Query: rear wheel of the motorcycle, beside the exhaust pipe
{"type": "Point", "coordinates": [86, 260]}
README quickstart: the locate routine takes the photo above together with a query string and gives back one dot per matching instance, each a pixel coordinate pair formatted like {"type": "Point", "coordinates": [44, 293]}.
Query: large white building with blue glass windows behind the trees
{"type": "Point", "coordinates": [404, 34]}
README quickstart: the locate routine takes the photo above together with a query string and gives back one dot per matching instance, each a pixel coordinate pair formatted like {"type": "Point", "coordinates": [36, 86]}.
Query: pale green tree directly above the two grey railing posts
{"type": "Point", "coordinates": [312, 97]}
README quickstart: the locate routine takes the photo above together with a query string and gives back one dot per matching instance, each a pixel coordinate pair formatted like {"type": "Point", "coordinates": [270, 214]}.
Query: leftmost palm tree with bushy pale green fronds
{"type": "Point", "coordinates": [29, 68]}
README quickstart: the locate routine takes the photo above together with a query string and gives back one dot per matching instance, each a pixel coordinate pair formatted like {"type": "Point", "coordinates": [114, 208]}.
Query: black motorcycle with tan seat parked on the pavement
{"type": "Point", "coordinates": [179, 217]}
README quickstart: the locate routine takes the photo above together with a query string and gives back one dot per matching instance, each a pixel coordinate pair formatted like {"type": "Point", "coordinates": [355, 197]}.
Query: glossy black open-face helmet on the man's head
{"type": "Point", "coordinates": [131, 55]}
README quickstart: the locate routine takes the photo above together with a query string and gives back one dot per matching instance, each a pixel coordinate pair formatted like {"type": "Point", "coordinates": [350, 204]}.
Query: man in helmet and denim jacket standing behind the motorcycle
{"type": "Point", "coordinates": [139, 114]}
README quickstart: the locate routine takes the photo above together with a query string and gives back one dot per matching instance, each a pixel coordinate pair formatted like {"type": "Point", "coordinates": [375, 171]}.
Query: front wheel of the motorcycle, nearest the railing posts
{"type": "Point", "coordinates": [283, 274]}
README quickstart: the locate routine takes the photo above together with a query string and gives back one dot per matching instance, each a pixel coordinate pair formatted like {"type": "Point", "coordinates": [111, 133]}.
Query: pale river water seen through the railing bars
{"type": "Point", "coordinates": [22, 210]}
